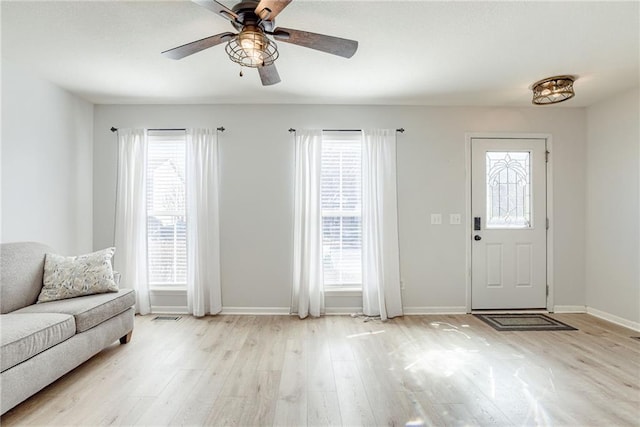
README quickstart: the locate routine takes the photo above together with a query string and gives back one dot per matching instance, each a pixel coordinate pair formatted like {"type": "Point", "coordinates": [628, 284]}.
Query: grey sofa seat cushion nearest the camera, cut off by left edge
{"type": "Point", "coordinates": [26, 335]}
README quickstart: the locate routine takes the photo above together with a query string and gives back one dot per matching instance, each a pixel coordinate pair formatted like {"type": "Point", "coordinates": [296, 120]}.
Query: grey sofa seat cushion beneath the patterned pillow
{"type": "Point", "coordinates": [89, 310]}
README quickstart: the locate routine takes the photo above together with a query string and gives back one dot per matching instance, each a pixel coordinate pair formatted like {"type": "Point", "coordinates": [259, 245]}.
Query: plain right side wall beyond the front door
{"type": "Point", "coordinates": [613, 208]}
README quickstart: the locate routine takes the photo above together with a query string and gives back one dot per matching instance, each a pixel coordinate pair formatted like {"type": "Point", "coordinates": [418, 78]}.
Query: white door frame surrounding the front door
{"type": "Point", "coordinates": [549, 183]}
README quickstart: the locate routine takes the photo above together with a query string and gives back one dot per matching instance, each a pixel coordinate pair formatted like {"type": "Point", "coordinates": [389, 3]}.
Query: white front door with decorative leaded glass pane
{"type": "Point", "coordinates": [509, 224]}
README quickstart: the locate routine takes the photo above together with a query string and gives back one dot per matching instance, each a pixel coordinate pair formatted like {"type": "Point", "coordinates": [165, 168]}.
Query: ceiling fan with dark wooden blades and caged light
{"type": "Point", "coordinates": [255, 20]}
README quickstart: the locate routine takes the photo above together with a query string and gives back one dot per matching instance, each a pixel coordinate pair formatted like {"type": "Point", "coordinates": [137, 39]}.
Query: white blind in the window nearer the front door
{"type": "Point", "coordinates": [341, 208]}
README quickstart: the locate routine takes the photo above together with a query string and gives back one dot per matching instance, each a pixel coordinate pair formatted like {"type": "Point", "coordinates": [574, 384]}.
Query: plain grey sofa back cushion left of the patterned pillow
{"type": "Point", "coordinates": [21, 268]}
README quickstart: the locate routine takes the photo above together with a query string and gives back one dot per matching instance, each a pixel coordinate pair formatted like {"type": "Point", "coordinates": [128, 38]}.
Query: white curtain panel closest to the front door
{"type": "Point", "coordinates": [380, 249]}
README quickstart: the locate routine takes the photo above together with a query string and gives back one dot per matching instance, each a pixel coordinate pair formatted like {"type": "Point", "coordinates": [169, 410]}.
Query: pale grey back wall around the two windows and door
{"type": "Point", "coordinates": [257, 190]}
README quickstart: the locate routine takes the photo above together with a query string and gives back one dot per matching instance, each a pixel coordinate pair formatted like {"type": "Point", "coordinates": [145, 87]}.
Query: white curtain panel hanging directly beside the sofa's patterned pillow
{"type": "Point", "coordinates": [130, 237]}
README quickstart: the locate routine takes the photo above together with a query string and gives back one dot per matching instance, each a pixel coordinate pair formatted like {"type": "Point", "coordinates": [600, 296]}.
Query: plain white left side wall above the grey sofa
{"type": "Point", "coordinates": [47, 171]}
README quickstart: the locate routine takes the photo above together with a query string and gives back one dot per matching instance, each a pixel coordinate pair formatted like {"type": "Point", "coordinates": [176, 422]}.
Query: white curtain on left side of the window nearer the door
{"type": "Point", "coordinates": [308, 293]}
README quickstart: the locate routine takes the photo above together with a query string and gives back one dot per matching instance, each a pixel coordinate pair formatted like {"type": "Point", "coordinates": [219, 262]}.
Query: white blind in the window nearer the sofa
{"type": "Point", "coordinates": [166, 212]}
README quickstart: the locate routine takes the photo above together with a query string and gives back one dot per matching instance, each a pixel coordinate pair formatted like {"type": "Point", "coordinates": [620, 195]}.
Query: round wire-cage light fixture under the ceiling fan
{"type": "Point", "coordinates": [252, 48]}
